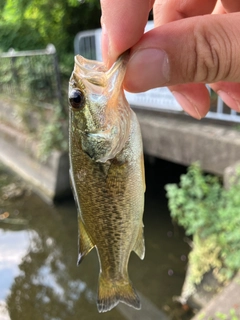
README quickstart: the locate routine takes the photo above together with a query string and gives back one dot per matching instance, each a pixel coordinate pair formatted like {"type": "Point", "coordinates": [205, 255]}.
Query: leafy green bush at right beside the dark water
{"type": "Point", "coordinates": [211, 215]}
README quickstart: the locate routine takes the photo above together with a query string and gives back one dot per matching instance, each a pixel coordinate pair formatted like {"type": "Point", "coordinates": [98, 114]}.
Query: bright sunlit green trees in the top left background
{"type": "Point", "coordinates": [33, 24]}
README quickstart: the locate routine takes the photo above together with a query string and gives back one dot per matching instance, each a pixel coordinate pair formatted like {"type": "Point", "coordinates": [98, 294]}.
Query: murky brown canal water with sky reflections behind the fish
{"type": "Point", "coordinates": [39, 278]}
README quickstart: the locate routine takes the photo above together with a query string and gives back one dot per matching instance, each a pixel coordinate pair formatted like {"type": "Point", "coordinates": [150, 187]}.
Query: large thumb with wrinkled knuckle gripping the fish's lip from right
{"type": "Point", "coordinates": [203, 49]}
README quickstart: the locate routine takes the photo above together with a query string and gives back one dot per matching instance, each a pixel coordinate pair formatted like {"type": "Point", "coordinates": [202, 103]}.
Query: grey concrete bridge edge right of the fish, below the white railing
{"type": "Point", "coordinates": [184, 140]}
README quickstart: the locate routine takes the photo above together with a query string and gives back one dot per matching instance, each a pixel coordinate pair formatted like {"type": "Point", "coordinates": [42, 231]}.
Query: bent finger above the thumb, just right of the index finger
{"type": "Point", "coordinates": [171, 10]}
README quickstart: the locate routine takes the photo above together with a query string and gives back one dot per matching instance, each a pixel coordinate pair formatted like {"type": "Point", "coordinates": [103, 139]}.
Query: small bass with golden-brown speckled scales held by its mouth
{"type": "Point", "coordinates": [107, 175]}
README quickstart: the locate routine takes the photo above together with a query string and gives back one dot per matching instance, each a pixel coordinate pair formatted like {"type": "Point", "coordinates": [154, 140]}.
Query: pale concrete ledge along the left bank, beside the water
{"type": "Point", "coordinates": [50, 179]}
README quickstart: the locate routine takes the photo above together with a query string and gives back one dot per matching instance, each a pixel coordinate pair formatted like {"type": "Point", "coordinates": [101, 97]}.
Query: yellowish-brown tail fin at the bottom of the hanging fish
{"type": "Point", "coordinates": [111, 292]}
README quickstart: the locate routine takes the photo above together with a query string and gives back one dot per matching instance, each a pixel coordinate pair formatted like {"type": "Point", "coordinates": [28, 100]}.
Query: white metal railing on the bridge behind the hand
{"type": "Point", "coordinates": [87, 44]}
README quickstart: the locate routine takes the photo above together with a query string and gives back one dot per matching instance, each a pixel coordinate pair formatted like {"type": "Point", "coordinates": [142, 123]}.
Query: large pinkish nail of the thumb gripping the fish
{"type": "Point", "coordinates": [150, 67]}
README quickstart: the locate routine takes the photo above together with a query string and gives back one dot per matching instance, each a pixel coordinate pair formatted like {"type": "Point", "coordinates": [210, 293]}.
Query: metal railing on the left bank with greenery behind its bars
{"type": "Point", "coordinates": [31, 76]}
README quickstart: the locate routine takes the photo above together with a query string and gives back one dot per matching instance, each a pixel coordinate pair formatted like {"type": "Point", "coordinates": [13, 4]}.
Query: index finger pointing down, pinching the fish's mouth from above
{"type": "Point", "coordinates": [123, 25]}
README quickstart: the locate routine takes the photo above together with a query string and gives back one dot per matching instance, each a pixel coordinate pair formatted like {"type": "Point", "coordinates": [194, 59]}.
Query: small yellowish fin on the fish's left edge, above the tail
{"type": "Point", "coordinates": [85, 244]}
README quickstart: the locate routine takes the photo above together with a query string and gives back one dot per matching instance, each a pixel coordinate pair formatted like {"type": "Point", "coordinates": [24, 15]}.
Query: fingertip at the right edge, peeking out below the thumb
{"type": "Point", "coordinates": [229, 92]}
